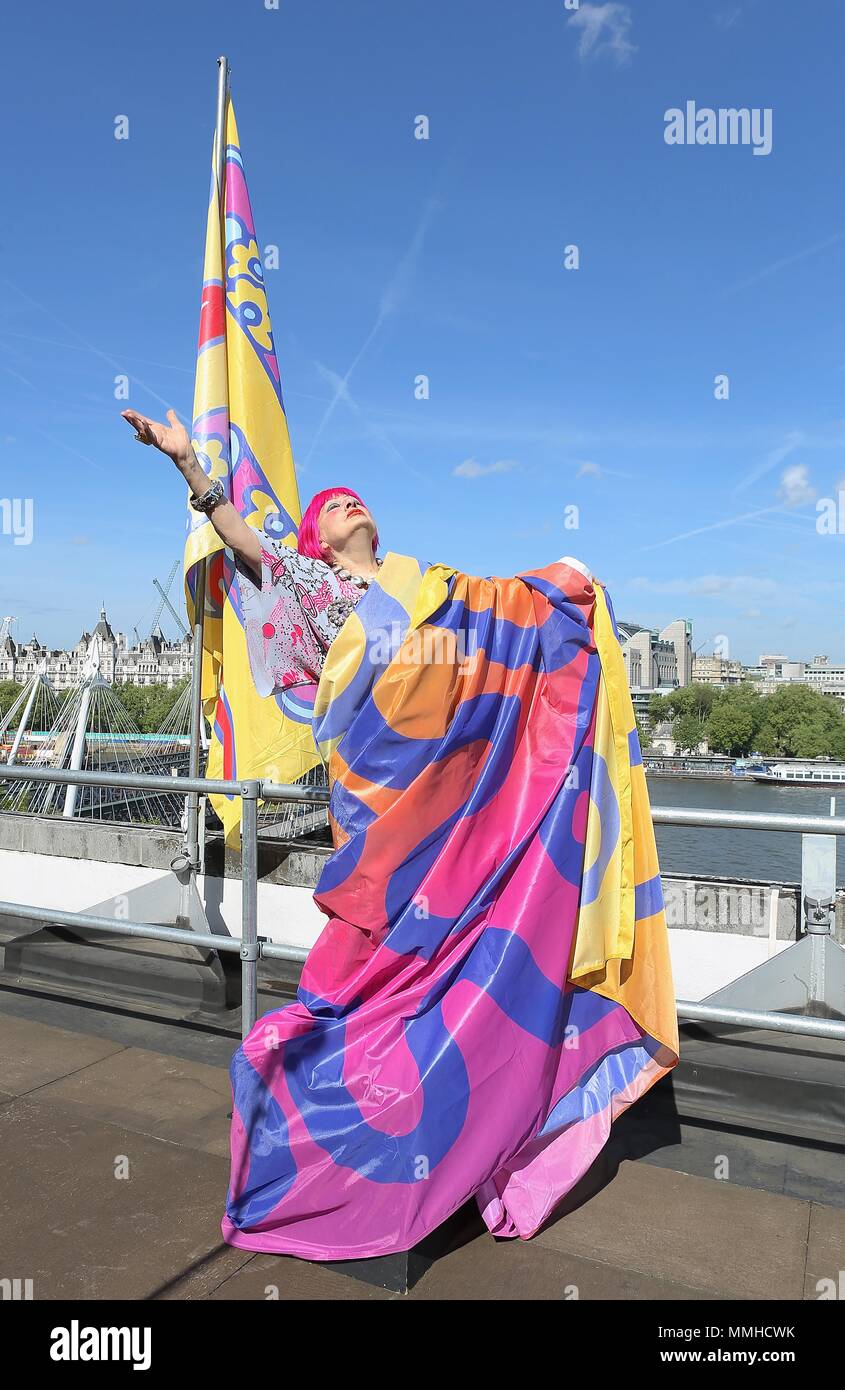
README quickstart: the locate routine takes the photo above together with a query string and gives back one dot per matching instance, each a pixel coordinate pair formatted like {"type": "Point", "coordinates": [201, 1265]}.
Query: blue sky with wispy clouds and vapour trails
{"type": "Point", "coordinates": [551, 389]}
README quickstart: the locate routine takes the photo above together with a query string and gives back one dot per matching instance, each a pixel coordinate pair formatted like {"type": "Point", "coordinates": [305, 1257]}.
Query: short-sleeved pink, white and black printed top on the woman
{"type": "Point", "coordinates": [294, 616]}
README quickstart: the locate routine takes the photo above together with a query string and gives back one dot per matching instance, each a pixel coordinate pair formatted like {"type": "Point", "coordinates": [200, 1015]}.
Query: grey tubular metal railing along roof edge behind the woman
{"type": "Point", "coordinates": [251, 949]}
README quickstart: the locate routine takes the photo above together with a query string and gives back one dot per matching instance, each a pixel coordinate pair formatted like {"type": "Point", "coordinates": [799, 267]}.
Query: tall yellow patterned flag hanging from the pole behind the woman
{"type": "Point", "coordinates": [241, 436]}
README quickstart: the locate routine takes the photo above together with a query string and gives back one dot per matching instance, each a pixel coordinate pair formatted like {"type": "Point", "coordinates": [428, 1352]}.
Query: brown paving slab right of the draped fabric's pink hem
{"type": "Point", "coordinates": [694, 1231]}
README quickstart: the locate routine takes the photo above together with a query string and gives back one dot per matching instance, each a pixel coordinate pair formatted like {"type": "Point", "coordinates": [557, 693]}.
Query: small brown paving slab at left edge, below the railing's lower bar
{"type": "Point", "coordinates": [34, 1054]}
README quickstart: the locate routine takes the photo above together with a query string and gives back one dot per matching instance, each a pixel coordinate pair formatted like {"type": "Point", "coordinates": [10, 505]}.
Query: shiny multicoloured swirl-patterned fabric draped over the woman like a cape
{"type": "Point", "coordinates": [493, 986]}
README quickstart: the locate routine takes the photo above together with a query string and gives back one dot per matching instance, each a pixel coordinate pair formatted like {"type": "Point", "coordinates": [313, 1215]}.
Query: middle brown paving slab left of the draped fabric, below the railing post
{"type": "Point", "coordinates": [166, 1097]}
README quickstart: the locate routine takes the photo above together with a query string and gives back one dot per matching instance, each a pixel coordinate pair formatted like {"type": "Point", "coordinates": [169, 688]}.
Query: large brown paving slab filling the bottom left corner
{"type": "Point", "coordinates": [79, 1231]}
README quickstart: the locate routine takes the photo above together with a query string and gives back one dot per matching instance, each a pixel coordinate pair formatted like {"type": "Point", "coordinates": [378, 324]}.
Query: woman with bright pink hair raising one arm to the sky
{"type": "Point", "coordinates": [295, 601]}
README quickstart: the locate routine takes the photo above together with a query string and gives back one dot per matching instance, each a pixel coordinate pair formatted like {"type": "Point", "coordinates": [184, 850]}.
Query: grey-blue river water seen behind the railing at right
{"type": "Point", "coordinates": [748, 854]}
